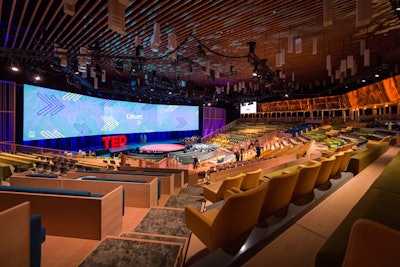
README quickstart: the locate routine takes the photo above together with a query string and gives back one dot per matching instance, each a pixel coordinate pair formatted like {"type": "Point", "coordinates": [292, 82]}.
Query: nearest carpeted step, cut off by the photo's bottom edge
{"type": "Point", "coordinates": [120, 252]}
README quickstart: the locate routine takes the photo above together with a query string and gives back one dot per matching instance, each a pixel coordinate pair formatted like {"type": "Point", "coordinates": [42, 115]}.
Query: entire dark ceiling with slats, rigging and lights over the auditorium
{"type": "Point", "coordinates": [212, 45]}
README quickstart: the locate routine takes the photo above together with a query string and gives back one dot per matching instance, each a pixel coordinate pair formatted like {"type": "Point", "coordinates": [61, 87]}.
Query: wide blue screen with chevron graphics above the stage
{"type": "Point", "coordinates": [52, 114]}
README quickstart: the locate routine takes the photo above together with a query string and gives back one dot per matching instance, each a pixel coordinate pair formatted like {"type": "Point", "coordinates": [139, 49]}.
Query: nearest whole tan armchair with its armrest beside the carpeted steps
{"type": "Point", "coordinates": [238, 214]}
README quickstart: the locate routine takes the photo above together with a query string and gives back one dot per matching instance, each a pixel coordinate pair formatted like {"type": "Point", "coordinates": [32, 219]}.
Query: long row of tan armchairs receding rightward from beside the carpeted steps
{"type": "Point", "coordinates": [254, 198]}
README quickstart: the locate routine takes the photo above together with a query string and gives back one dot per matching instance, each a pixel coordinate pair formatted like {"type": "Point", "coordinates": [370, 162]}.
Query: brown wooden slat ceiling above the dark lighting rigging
{"type": "Point", "coordinates": [223, 27]}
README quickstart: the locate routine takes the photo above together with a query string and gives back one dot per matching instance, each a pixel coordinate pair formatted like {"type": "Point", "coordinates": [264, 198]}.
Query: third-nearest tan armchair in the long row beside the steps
{"type": "Point", "coordinates": [306, 181]}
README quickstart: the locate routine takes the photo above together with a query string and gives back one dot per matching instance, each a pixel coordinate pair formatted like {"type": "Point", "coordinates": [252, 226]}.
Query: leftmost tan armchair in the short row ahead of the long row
{"type": "Point", "coordinates": [216, 191]}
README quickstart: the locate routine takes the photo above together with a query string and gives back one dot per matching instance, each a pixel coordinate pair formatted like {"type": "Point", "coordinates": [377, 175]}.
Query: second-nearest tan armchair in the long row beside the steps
{"type": "Point", "coordinates": [279, 192]}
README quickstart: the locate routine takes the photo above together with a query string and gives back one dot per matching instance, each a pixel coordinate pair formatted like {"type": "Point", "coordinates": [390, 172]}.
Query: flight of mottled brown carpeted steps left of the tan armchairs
{"type": "Point", "coordinates": [160, 239]}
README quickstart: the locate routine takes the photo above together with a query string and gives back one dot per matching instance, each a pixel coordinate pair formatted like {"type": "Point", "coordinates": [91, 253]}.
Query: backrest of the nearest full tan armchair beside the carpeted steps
{"type": "Point", "coordinates": [238, 214]}
